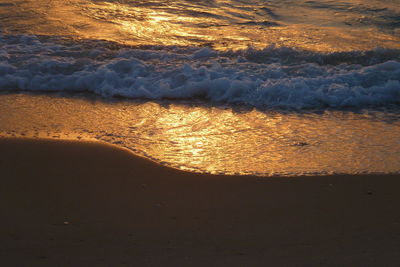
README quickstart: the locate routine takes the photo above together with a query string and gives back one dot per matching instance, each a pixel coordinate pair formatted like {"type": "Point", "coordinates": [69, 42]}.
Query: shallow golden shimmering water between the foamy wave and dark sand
{"type": "Point", "coordinates": [216, 140]}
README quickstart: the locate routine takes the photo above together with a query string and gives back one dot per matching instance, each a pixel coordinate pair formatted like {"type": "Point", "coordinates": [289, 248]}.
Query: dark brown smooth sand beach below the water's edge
{"type": "Point", "coordinates": [69, 203]}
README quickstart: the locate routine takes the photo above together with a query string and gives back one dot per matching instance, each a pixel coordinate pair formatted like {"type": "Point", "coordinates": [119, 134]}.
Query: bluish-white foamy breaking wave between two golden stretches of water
{"type": "Point", "coordinates": [273, 77]}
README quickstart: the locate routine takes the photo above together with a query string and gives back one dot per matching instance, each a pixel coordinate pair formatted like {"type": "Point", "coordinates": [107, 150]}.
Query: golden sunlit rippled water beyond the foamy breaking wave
{"type": "Point", "coordinates": [221, 26]}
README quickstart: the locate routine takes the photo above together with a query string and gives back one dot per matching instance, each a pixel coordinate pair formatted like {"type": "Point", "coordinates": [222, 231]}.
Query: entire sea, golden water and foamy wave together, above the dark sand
{"type": "Point", "coordinates": [255, 87]}
